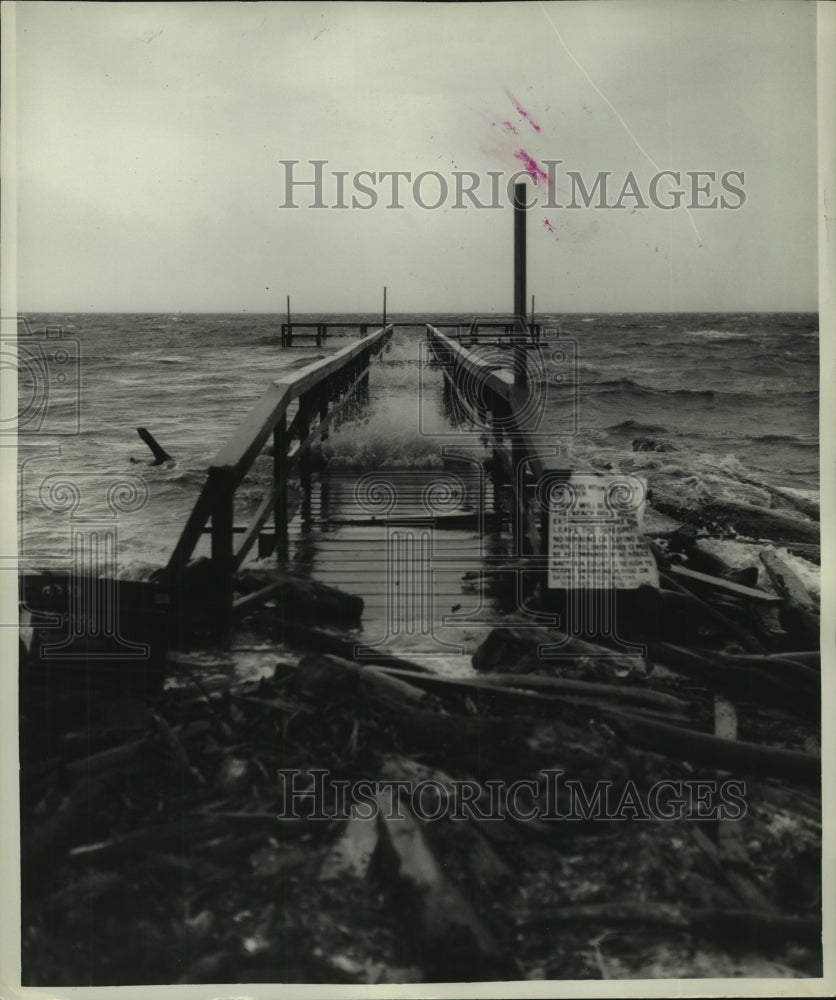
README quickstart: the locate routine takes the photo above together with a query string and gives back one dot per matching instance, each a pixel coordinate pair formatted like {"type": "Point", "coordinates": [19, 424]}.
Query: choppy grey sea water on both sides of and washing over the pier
{"type": "Point", "coordinates": [734, 396]}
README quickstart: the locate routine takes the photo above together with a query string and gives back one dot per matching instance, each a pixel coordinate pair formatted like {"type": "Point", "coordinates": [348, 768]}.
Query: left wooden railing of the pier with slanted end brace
{"type": "Point", "coordinates": [319, 391]}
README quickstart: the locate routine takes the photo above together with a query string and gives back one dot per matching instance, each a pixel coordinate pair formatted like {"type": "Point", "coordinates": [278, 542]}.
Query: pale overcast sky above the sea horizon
{"type": "Point", "coordinates": [150, 135]}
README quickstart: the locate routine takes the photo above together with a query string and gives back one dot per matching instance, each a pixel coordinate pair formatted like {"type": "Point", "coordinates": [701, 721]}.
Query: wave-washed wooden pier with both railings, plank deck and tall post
{"type": "Point", "coordinates": [405, 561]}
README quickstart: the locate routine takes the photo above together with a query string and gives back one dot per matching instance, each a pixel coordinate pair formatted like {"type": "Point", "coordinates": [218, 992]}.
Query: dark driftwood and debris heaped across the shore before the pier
{"type": "Point", "coordinates": [222, 813]}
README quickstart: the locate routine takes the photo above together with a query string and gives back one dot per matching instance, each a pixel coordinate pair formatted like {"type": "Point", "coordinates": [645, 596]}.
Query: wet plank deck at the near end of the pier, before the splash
{"type": "Point", "coordinates": [416, 543]}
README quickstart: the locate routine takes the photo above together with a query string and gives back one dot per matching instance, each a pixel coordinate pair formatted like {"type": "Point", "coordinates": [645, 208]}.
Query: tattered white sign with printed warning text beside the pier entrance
{"type": "Point", "coordinates": [595, 540]}
